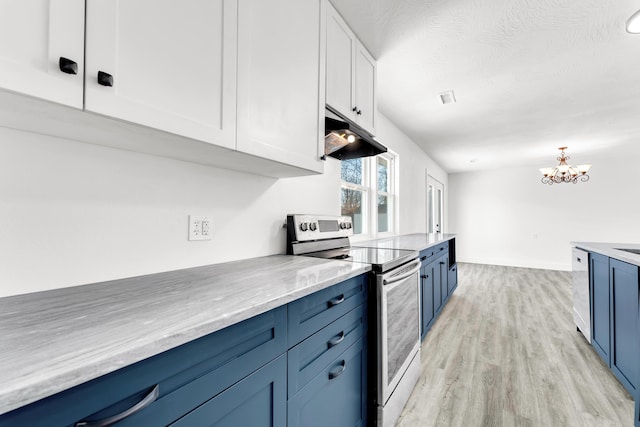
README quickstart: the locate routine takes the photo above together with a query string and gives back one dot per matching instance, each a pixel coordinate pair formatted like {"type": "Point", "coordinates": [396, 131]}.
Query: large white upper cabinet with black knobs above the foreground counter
{"type": "Point", "coordinates": [237, 84]}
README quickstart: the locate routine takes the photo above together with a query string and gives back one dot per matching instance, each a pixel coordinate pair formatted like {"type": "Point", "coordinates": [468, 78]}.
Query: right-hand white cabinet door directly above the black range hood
{"type": "Point", "coordinates": [365, 84]}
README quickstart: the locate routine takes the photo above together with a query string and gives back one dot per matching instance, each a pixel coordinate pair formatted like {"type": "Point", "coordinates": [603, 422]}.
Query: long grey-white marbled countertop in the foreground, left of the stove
{"type": "Point", "coordinates": [54, 340]}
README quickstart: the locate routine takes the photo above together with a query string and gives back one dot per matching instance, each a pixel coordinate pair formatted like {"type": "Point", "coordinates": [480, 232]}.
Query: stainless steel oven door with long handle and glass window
{"type": "Point", "coordinates": [398, 325]}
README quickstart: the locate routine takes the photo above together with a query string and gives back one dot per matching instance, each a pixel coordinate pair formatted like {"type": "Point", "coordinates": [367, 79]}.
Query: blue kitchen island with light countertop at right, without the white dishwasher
{"type": "Point", "coordinates": [614, 285]}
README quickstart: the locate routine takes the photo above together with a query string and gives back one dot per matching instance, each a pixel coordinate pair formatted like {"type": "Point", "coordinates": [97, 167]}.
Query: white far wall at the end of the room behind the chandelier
{"type": "Point", "coordinates": [508, 217]}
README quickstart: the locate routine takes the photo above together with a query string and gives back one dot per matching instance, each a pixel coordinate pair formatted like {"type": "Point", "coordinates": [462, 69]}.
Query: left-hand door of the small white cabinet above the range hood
{"type": "Point", "coordinates": [341, 44]}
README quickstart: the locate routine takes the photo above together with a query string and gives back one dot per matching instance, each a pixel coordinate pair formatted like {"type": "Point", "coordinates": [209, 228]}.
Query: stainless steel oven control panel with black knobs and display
{"type": "Point", "coordinates": [317, 227]}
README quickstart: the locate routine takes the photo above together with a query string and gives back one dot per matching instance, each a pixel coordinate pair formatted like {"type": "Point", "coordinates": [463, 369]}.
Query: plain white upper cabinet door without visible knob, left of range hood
{"type": "Point", "coordinates": [279, 108]}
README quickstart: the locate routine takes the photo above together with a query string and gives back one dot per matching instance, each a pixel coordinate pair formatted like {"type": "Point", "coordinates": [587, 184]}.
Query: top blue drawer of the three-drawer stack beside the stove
{"type": "Point", "coordinates": [308, 315]}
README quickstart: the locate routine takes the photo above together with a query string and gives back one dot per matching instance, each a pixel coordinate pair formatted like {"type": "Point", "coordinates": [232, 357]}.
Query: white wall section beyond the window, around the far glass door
{"type": "Point", "coordinates": [413, 166]}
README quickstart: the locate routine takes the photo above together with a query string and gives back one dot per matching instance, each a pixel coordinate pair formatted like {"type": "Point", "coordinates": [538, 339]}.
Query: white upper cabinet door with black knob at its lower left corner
{"type": "Point", "coordinates": [172, 65]}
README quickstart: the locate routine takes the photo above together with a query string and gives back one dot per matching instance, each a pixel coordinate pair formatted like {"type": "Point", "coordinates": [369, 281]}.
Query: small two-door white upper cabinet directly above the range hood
{"type": "Point", "coordinates": [351, 73]}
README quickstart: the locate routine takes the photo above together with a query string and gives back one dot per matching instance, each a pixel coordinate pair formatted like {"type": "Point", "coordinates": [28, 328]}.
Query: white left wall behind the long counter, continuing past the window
{"type": "Point", "coordinates": [73, 213]}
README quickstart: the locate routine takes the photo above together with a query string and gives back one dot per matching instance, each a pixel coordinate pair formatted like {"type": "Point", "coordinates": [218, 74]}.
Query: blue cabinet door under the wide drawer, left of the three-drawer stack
{"type": "Point", "coordinates": [259, 400]}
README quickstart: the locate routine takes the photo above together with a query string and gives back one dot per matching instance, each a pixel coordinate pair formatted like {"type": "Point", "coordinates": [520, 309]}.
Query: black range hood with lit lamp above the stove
{"type": "Point", "coordinates": [346, 140]}
